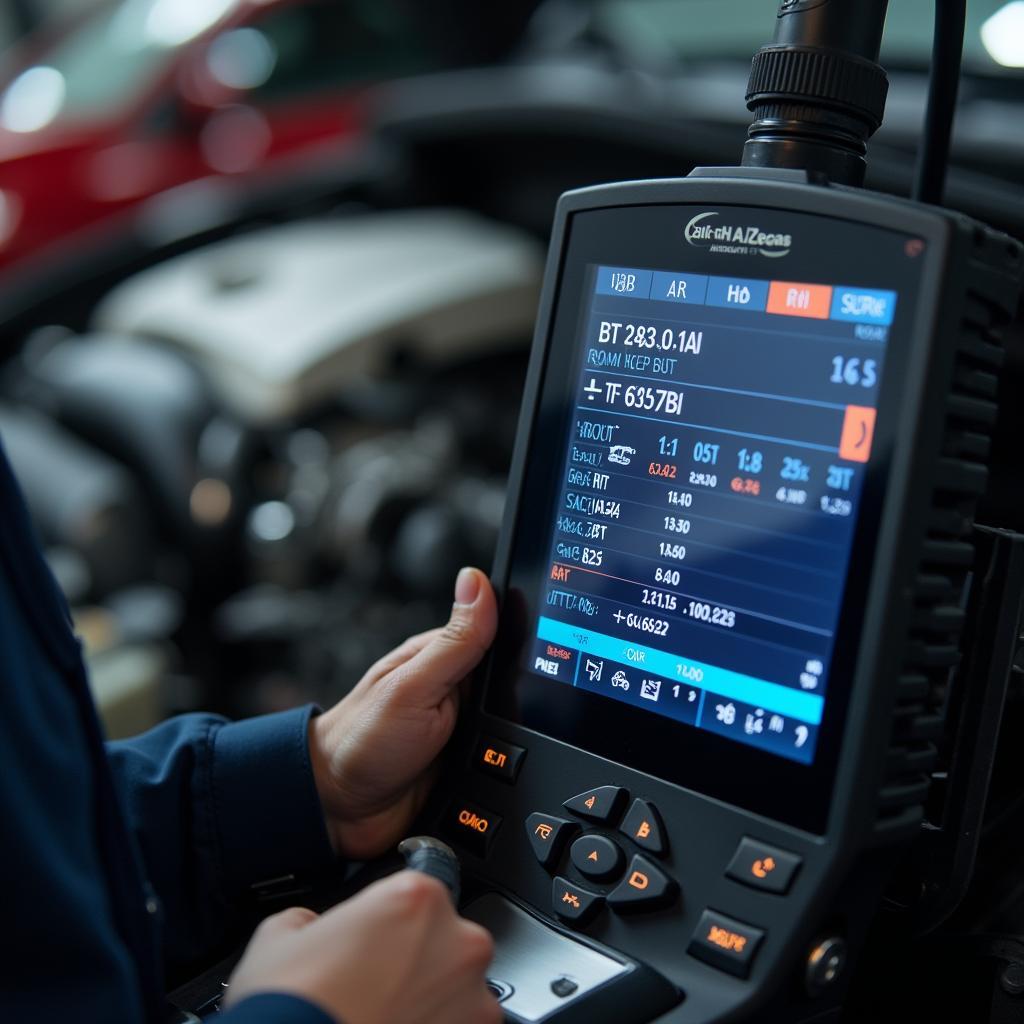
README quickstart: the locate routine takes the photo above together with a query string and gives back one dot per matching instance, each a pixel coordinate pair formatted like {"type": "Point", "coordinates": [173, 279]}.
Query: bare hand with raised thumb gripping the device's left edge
{"type": "Point", "coordinates": [373, 753]}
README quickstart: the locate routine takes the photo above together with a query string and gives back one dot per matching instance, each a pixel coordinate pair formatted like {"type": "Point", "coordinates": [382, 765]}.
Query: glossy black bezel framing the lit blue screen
{"type": "Point", "coordinates": [755, 781]}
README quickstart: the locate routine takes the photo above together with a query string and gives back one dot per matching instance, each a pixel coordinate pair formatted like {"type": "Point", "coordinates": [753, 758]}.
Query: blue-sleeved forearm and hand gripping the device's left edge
{"type": "Point", "coordinates": [217, 807]}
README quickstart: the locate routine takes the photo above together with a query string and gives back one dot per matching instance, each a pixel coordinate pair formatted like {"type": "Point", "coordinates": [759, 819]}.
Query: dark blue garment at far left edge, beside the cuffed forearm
{"type": "Point", "coordinates": [63, 956]}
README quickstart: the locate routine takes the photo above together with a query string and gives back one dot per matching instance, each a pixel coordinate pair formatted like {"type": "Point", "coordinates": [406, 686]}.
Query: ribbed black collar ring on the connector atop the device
{"type": "Point", "coordinates": [816, 77]}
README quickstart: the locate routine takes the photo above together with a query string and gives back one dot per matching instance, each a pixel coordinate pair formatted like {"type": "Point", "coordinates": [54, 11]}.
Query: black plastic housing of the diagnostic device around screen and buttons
{"type": "Point", "coordinates": [909, 645]}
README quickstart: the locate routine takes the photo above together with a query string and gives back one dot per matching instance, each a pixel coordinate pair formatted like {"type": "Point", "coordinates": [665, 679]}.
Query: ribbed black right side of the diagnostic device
{"type": "Point", "coordinates": [960, 479]}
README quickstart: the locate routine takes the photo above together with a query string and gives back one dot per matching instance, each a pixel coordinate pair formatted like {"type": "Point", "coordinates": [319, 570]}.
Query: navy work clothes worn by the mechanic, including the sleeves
{"type": "Point", "coordinates": [119, 859]}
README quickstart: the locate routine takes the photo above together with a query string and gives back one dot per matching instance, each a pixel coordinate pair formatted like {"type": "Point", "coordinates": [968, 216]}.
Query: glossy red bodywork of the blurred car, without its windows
{"type": "Point", "coordinates": [68, 179]}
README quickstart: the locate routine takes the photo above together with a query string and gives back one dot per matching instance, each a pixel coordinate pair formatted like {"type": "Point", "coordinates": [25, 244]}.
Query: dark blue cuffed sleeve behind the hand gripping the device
{"type": "Point", "coordinates": [217, 806]}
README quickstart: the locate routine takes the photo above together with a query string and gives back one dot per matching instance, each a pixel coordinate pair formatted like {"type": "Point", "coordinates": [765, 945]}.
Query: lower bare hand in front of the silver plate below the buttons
{"type": "Point", "coordinates": [396, 954]}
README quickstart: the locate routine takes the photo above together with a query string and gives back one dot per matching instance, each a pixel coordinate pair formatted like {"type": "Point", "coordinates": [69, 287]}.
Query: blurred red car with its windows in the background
{"type": "Point", "coordinates": [140, 97]}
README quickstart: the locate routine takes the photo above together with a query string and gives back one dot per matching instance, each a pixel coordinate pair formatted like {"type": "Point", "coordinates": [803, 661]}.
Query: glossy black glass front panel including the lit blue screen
{"type": "Point", "coordinates": [711, 454]}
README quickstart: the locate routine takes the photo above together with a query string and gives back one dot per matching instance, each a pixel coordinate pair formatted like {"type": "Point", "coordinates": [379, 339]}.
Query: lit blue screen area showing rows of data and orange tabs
{"type": "Point", "coordinates": [709, 498]}
